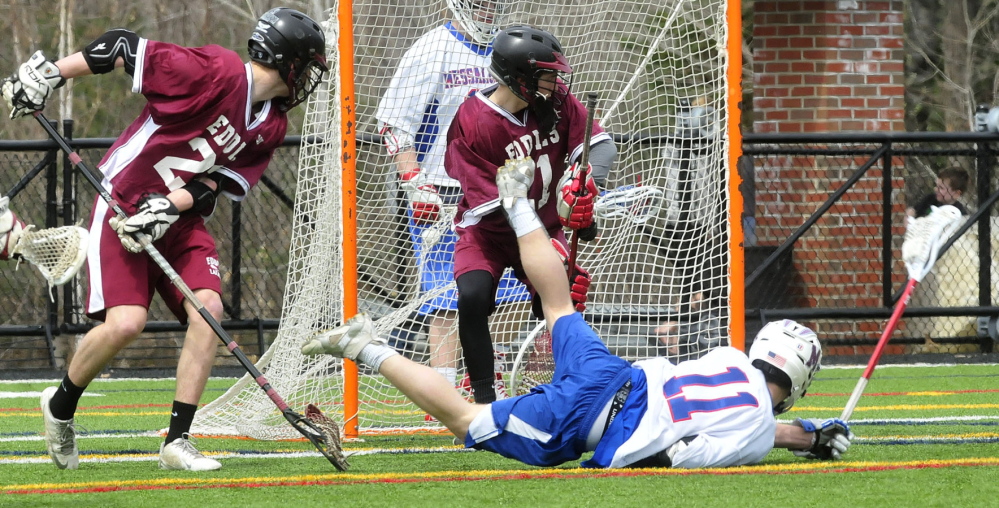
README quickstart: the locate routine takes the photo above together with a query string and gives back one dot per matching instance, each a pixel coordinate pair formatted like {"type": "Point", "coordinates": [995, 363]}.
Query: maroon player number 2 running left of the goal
{"type": "Point", "coordinates": [209, 127]}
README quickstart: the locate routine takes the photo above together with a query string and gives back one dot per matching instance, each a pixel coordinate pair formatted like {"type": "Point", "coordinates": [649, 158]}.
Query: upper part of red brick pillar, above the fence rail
{"type": "Point", "coordinates": [828, 66]}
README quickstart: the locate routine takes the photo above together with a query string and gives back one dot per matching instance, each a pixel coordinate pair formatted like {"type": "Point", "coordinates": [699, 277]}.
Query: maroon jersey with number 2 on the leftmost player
{"type": "Point", "coordinates": [198, 119]}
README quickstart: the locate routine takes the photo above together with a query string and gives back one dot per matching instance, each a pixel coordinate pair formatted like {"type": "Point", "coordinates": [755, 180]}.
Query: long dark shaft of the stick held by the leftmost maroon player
{"type": "Point", "coordinates": [164, 265]}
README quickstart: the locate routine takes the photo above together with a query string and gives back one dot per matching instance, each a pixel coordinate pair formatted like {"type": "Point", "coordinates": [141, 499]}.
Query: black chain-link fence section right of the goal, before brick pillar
{"type": "Point", "coordinates": [825, 217]}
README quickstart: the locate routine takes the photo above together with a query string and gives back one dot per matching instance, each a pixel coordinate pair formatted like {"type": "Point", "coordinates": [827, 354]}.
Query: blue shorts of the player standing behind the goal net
{"type": "Point", "coordinates": [436, 266]}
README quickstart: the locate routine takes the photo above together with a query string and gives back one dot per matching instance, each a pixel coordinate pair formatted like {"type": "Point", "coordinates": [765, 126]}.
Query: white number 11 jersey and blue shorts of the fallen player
{"type": "Point", "coordinates": [719, 405]}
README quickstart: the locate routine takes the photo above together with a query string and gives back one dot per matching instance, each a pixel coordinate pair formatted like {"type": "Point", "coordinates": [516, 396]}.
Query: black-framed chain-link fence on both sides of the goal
{"type": "Point", "coordinates": [824, 220]}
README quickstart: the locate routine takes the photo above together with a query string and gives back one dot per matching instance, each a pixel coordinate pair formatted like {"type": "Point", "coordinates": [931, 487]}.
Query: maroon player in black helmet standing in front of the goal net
{"type": "Point", "coordinates": [530, 116]}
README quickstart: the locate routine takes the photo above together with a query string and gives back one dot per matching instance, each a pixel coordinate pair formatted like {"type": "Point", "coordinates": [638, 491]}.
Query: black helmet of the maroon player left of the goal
{"type": "Point", "coordinates": [293, 44]}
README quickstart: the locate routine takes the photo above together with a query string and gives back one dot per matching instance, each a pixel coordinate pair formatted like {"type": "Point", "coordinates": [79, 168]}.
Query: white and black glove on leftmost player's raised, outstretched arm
{"type": "Point", "coordinates": [27, 89]}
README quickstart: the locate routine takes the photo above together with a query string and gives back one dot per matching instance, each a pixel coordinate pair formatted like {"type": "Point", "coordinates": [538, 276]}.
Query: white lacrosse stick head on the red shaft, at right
{"type": "Point", "coordinates": [925, 236]}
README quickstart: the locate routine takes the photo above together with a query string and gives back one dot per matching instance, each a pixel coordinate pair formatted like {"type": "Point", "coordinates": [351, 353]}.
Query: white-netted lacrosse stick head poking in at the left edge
{"type": "Point", "coordinates": [58, 253]}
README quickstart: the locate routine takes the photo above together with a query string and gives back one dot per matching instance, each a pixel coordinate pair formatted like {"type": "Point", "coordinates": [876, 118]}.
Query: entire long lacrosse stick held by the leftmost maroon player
{"type": "Point", "coordinates": [321, 431]}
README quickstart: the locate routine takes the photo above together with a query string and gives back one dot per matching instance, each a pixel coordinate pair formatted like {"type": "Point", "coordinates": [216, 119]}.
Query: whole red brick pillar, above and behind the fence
{"type": "Point", "coordinates": [827, 67]}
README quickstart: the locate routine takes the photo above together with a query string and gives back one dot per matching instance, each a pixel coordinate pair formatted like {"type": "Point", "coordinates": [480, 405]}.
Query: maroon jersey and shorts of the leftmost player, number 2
{"type": "Point", "coordinates": [198, 119]}
